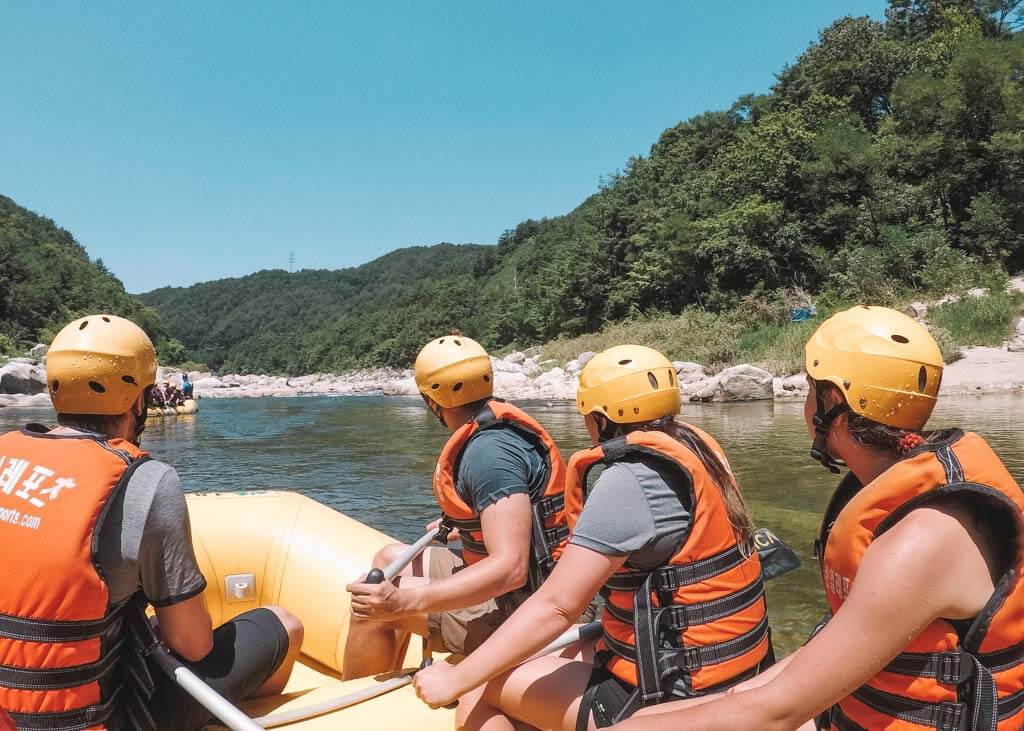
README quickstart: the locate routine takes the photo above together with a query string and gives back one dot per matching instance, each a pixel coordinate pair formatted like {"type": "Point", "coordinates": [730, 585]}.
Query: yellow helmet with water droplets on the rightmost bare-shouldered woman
{"type": "Point", "coordinates": [886, 365]}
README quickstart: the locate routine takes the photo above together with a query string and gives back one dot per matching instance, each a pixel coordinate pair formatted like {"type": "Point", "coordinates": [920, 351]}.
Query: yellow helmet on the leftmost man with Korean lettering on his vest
{"type": "Point", "coordinates": [100, 365]}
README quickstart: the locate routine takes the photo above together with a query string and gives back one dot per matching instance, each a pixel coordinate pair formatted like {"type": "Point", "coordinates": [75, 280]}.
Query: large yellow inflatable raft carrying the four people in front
{"type": "Point", "coordinates": [285, 549]}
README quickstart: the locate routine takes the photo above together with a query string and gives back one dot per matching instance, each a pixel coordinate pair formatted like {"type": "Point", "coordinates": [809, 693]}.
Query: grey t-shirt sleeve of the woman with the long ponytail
{"type": "Point", "coordinates": [641, 508]}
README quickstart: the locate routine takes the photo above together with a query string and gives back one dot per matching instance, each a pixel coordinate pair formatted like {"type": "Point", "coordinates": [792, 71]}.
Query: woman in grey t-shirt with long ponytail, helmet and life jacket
{"type": "Point", "coordinates": [665, 536]}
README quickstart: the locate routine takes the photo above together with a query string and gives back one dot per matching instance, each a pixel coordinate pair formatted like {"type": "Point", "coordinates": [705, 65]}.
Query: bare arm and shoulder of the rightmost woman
{"type": "Point", "coordinates": [928, 567]}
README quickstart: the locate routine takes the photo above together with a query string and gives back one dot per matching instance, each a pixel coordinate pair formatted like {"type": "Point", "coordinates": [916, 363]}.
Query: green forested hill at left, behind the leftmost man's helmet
{"type": "Point", "coordinates": [47, 280]}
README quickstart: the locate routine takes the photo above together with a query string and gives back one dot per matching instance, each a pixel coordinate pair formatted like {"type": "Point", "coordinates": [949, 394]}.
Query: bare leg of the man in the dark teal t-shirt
{"type": "Point", "coordinates": [374, 648]}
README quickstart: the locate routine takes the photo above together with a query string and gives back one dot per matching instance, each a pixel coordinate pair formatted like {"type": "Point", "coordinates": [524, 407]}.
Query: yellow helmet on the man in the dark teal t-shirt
{"type": "Point", "coordinates": [454, 371]}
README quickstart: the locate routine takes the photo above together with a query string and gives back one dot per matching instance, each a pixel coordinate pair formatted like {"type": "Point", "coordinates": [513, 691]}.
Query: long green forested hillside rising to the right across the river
{"type": "Point", "coordinates": [889, 157]}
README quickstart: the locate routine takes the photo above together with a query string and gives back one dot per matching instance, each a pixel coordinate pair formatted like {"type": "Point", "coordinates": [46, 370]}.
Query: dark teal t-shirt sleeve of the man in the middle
{"type": "Point", "coordinates": [498, 463]}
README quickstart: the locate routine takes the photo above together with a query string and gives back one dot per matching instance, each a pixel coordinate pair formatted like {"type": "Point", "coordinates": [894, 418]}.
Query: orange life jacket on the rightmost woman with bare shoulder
{"type": "Point", "coordinates": [955, 675]}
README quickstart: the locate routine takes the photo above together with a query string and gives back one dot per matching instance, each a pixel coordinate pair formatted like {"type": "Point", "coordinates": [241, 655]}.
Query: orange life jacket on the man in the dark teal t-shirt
{"type": "Point", "coordinates": [550, 532]}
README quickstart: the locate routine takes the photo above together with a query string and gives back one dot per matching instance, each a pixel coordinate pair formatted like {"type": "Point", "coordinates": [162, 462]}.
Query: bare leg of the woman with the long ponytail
{"type": "Point", "coordinates": [544, 694]}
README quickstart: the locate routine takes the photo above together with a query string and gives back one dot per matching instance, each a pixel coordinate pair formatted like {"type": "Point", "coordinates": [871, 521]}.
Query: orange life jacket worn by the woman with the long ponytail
{"type": "Point", "coordinates": [703, 615]}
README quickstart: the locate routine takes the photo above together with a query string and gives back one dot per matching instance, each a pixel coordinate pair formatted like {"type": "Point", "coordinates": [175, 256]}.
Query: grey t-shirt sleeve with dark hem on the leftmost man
{"type": "Point", "coordinates": [146, 541]}
